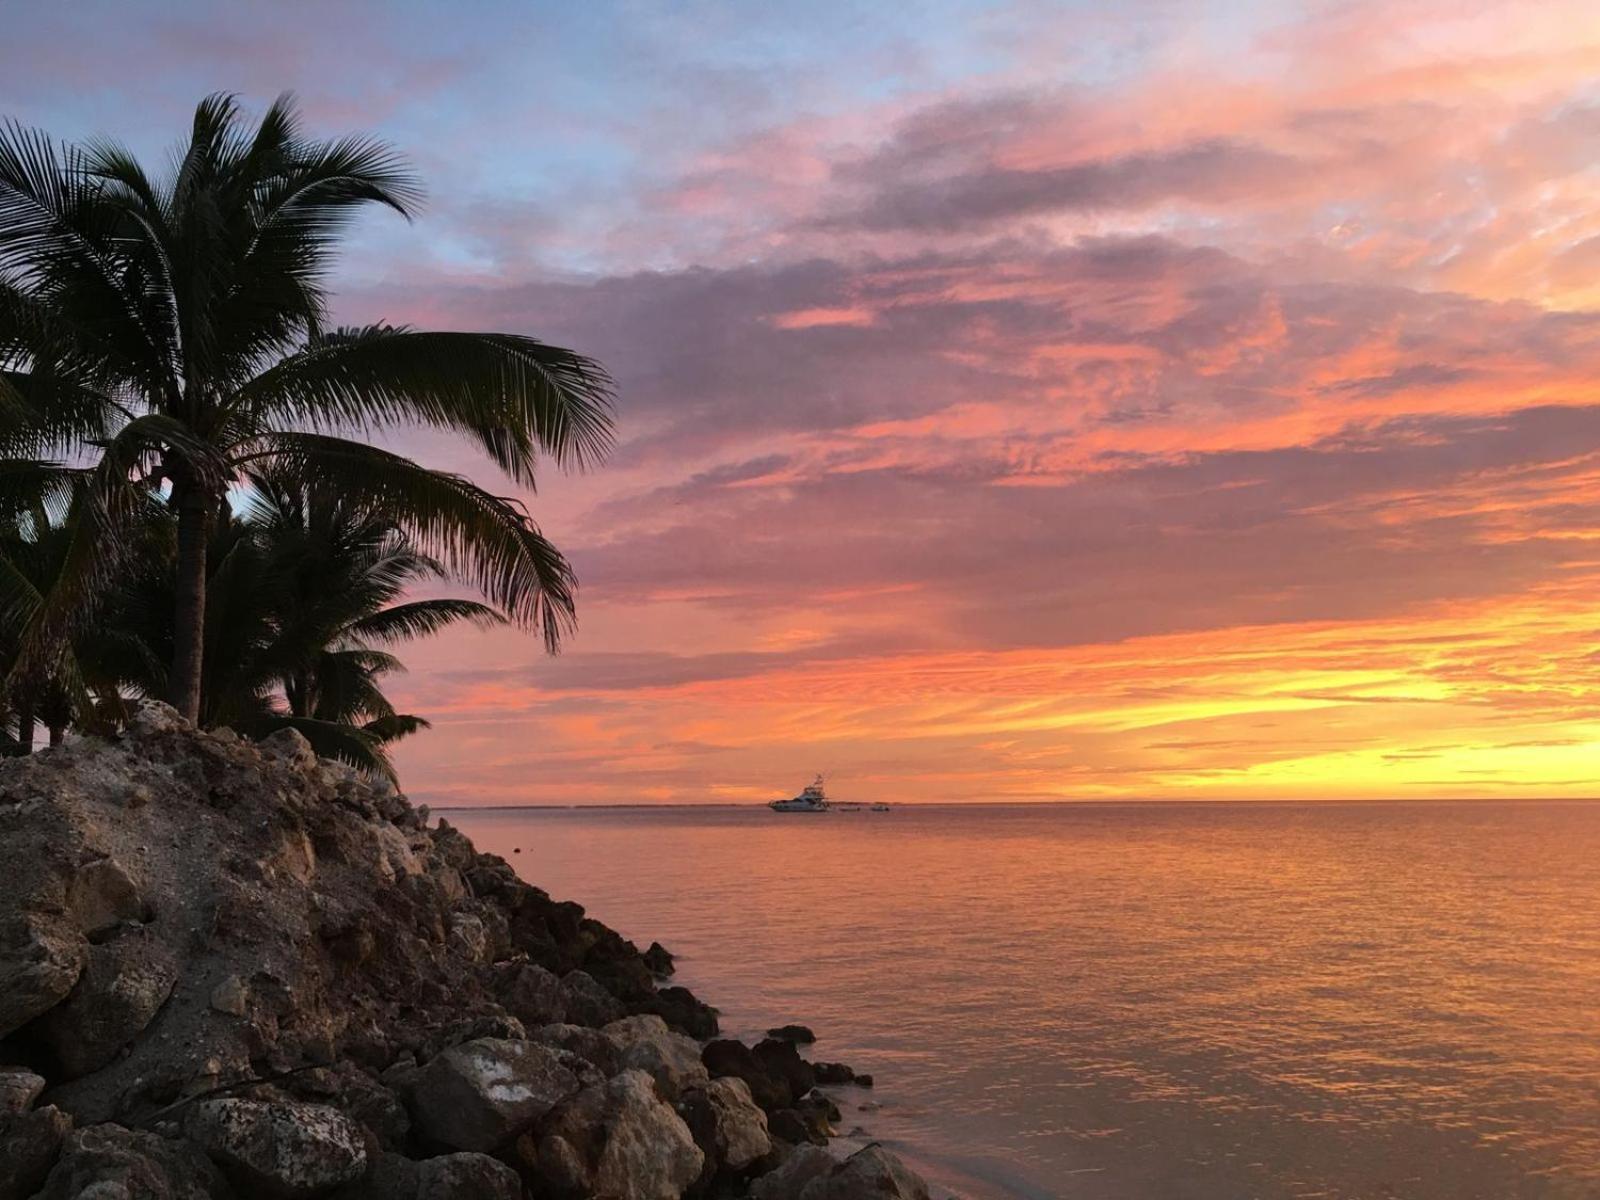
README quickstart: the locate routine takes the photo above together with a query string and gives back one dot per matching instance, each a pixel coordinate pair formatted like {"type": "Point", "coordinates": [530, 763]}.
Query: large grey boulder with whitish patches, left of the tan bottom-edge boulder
{"type": "Point", "coordinates": [481, 1095]}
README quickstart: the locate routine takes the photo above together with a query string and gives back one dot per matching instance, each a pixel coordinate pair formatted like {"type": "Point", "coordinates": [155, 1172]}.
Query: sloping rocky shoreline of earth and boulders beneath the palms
{"type": "Point", "coordinates": [230, 970]}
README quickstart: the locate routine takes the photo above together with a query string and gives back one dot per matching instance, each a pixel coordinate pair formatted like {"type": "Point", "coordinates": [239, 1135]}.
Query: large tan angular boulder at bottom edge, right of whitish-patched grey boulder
{"type": "Point", "coordinates": [617, 1140]}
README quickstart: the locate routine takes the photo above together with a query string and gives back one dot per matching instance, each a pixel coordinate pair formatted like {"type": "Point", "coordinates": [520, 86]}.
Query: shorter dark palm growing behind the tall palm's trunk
{"type": "Point", "coordinates": [308, 596]}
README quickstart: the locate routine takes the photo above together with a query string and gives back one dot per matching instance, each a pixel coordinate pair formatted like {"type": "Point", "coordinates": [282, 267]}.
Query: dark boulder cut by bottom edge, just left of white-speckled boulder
{"type": "Point", "coordinates": [108, 1162]}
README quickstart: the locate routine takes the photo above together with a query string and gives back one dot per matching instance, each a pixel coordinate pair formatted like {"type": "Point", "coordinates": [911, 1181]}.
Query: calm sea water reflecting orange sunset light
{"type": "Point", "coordinates": [1148, 1002]}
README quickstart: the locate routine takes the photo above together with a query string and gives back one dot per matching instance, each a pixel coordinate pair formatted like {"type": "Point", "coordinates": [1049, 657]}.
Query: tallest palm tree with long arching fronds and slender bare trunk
{"type": "Point", "coordinates": [172, 334]}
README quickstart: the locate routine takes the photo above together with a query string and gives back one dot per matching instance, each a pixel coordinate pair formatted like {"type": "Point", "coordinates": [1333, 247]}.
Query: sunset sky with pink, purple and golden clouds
{"type": "Point", "coordinates": [1017, 401]}
